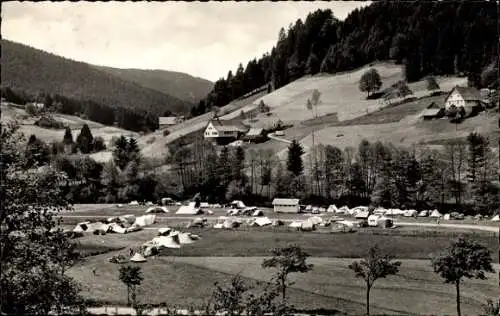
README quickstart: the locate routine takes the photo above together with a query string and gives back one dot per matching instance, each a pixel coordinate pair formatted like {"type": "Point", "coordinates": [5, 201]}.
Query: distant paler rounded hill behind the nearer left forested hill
{"type": "Point", "coordinates": [176, 84]}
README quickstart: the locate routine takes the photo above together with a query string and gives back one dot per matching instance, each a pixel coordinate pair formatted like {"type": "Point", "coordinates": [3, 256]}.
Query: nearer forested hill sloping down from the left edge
{"type": "Point", "coordinates": [34, 70]}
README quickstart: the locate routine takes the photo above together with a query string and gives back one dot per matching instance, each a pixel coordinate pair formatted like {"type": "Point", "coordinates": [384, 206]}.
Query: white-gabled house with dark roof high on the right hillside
{"type": "Point", "coordinates": [468, 98]}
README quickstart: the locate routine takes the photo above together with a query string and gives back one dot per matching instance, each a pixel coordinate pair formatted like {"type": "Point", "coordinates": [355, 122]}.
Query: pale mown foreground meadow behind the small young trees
{"type": "Point", "coordinates": [188, 281]}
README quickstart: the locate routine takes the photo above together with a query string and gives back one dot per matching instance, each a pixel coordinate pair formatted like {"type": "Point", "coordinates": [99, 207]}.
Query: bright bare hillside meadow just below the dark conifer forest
{"type": "Point", "coordinates": [340, 94]}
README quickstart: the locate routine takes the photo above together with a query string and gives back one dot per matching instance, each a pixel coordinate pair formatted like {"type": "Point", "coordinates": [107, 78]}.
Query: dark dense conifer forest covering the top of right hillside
{"type": "Point", "coordinates": [428, 38]}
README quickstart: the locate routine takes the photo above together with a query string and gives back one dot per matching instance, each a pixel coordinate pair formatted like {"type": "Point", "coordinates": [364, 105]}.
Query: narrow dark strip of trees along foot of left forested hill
{"type": "Point", "coordinates": [134, 120]}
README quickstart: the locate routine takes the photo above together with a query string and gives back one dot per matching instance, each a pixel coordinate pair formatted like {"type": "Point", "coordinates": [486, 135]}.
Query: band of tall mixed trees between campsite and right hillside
{"type": "Point", "coordinates": [461, 176]}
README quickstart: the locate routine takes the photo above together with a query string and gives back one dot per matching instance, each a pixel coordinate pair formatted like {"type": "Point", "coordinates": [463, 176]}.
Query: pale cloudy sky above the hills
{"type": "Point", "coordinates": [205, 40]}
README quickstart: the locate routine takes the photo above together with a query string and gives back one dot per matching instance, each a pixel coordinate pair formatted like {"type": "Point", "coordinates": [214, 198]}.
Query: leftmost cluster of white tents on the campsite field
{"type": "Point", "coordinates": [121, 225]}
